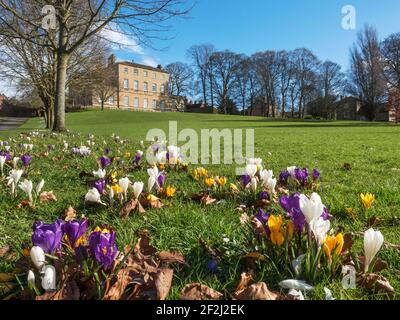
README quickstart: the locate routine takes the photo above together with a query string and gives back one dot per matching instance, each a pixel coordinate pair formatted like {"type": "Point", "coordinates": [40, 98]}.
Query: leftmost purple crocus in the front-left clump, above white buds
{"type": "Point", "coordinates": [47, 236]}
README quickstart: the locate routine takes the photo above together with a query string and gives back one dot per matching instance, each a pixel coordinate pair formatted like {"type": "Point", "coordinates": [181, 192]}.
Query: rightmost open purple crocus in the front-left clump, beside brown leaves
{"type": "Point", "coordinates": [103, 247]}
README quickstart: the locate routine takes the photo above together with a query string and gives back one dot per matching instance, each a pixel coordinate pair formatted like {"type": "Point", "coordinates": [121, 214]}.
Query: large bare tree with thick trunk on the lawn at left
{"type": "Point", "coordinates": [80, 20]}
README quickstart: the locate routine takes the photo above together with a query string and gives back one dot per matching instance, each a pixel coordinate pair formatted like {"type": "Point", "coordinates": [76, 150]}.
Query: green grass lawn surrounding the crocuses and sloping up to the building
{"type": "Point", "coordinates": [370, 148]}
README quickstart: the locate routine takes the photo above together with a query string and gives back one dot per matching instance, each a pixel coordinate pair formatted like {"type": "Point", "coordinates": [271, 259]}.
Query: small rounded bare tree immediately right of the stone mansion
{"type": "Point", "coordinates": [180, 78]}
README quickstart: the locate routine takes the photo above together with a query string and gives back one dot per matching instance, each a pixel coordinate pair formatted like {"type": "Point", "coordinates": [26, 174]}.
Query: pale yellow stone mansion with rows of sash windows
{"type": "Point", "coordinates": [140, 88]}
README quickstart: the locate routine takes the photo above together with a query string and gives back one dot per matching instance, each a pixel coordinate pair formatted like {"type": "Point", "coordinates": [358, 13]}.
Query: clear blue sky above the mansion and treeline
{"type": "Point", "coordinates": [255, 25]}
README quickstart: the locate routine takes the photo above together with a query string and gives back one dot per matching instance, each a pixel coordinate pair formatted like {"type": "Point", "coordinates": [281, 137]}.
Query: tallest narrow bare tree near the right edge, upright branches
{"type": "Point", "coordinates": [366, 73]}
